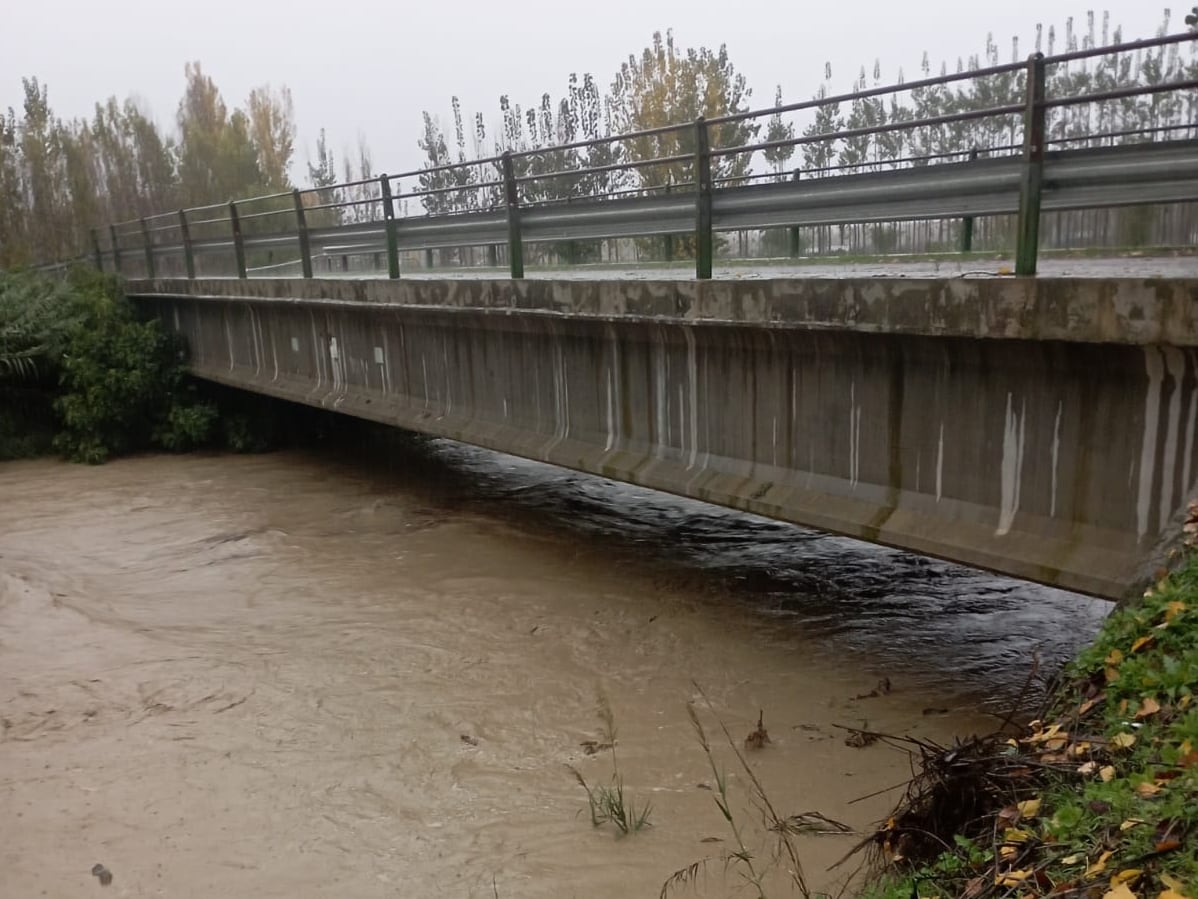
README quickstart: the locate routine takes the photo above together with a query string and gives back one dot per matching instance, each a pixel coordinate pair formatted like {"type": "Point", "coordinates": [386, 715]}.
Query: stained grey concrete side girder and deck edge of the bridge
{"type": "Point", "coordinates": [1038, 427]}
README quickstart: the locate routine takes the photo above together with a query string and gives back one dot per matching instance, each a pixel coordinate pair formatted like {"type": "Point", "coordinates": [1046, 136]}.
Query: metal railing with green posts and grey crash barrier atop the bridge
{"type": "Point", "coordinates": [1022, 179]}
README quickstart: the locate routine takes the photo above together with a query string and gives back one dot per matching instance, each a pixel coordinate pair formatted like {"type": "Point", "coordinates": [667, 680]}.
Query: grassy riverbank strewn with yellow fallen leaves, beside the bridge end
{"type": "Point", "coordinates": [1102, 794]}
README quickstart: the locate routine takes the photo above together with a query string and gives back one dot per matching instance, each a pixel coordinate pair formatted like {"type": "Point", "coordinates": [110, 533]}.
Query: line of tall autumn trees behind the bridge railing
{"type": "Point", "coordinates": [59, 179]}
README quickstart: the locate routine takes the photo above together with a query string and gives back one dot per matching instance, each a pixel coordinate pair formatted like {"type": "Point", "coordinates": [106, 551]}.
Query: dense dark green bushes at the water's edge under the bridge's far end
{"type": "Point", "coordinates": [82, 373]}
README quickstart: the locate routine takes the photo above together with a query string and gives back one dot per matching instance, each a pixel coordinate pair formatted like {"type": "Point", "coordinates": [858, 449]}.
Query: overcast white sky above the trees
{"type": "Point", "coordinates": [372, 67]}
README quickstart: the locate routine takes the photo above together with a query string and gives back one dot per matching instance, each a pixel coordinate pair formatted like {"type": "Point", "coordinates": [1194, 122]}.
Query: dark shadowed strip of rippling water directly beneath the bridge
{"type": "Point", "coordinates": [921, 622]}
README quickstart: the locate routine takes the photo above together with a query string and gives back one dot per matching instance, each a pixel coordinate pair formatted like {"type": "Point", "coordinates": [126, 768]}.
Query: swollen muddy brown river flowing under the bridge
{"type": "Point", "coordinates": [317, 674]}
